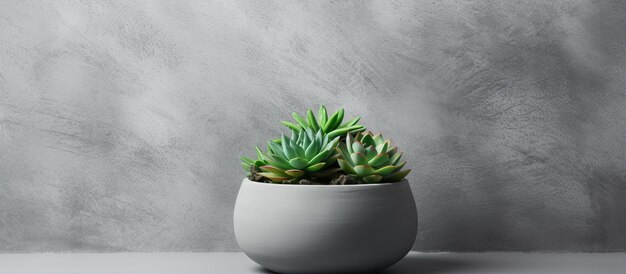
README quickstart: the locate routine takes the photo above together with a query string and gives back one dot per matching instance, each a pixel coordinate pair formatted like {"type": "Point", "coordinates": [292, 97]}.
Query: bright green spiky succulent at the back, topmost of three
{"type": "Point", "coordinates": [330, 126]}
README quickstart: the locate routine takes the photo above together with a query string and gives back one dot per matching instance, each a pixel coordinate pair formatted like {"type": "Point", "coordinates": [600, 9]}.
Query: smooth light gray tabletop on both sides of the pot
{"type": "Point", "coordinates": [226, 263]}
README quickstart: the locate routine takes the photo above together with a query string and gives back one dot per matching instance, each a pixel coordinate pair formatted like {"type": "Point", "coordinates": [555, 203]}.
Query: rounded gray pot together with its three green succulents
{"type": "Point", "coordinates": [329, 198]}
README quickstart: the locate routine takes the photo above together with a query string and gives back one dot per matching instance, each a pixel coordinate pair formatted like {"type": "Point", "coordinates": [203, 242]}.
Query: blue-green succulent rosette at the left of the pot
{"type": "Point", "coordinates": [307, 153]}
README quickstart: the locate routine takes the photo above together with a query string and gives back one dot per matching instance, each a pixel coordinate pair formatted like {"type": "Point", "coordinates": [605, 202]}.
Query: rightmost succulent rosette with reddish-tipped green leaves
{"type": "Point", "coordinates": [371, 159]}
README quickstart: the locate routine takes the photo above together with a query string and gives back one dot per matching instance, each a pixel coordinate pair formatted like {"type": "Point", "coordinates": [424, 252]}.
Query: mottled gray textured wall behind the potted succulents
{"type": "Point", "coordinates": [121, 122]}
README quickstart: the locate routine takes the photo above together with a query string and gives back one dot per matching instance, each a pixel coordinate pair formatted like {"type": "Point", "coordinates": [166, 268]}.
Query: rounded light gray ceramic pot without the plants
{"type": "Point", "coordinates": [325, 228]}
